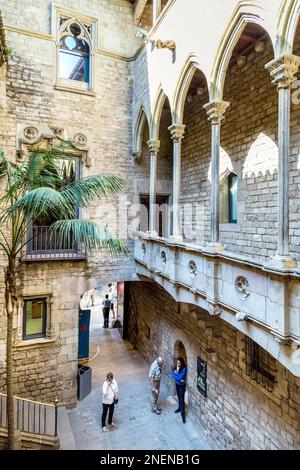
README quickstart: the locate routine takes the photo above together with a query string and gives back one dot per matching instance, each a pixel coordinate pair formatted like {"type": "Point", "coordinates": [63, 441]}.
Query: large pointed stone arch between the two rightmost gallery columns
{"type": "Point", "coordinates": [228, 42]}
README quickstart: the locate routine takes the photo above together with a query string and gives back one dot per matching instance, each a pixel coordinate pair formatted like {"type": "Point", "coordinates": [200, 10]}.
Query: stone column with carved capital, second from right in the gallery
{"type": "Point", "coordinates": [215, 111]}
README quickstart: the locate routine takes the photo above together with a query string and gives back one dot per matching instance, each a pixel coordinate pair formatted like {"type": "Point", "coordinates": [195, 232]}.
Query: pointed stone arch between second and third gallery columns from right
{"type": "Point", "coordinates": [186, 76]}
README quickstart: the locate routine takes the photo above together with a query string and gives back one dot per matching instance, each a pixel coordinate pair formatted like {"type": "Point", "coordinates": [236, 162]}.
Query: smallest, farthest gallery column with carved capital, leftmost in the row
{"type": "Point", "coordinates": [153, 151]}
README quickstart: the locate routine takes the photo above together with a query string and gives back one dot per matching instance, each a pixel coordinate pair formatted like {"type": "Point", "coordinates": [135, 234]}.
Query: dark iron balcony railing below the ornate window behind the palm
{"type": "Point", "coordinates": [47, 244]}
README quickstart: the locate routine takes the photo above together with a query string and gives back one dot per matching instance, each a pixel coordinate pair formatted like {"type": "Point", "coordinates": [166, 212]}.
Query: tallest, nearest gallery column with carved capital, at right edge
{"type": "Point", "coordinates": [282, 71]}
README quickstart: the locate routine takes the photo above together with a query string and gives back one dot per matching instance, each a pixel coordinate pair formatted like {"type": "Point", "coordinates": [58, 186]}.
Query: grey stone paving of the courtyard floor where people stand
{"type": "Point", "coordinates": [138, 428]}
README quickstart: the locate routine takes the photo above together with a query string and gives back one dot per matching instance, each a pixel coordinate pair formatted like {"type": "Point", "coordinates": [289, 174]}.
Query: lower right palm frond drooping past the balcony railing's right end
{"type": "Point", "coordinates": [88, 233]}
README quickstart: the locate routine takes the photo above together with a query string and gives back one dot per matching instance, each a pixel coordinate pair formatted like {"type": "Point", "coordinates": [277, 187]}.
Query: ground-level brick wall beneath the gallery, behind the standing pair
{"type": "Point", "coordinates": [237, 413]}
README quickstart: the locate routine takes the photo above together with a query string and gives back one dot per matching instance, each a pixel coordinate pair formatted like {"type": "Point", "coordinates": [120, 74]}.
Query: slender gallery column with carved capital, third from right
{"type": "Point", "coordinates": [177, 133]}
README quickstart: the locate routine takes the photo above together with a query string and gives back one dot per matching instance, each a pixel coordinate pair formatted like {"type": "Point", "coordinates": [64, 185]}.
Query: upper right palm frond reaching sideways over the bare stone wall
{"type": "Point", "coordinates": [87, 190]}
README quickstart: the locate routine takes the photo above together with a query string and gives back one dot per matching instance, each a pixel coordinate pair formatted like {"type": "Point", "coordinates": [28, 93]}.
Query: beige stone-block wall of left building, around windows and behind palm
{"type": "Point", "coordinates": [48, 370]}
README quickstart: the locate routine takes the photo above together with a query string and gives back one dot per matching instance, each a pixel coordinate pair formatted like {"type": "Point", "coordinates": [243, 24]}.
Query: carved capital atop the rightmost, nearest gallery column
{"type": "Point", "coordinates": [283, 69]}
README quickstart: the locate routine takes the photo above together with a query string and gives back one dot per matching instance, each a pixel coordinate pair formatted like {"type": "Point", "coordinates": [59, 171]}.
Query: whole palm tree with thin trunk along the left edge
{"type": "Point", "coordinates": [36, 189]}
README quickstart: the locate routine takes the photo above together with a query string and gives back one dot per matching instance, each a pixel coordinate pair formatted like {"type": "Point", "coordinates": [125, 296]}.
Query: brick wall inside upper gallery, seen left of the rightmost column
{"type": "Point", "coordinates": [248, 147]}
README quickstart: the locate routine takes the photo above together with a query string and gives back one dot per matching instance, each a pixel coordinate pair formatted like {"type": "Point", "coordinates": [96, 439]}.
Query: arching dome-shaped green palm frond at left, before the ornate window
{"type": "Point", "coordinates": [40, 201]}
